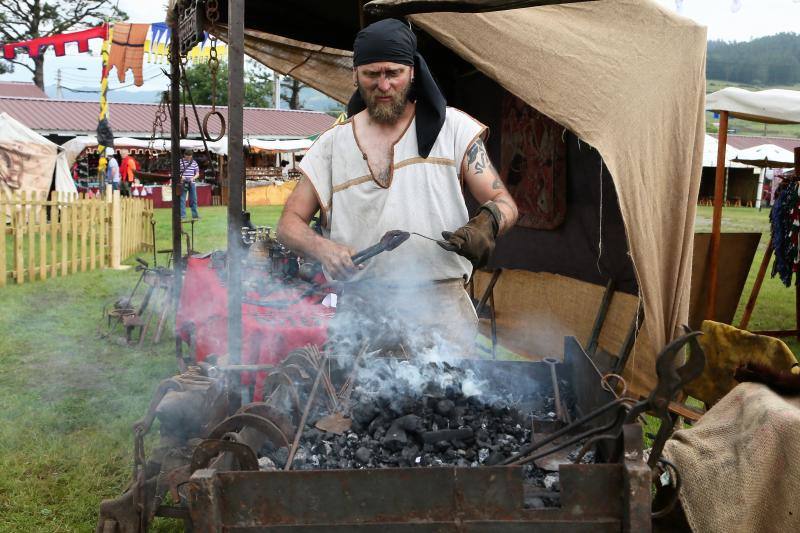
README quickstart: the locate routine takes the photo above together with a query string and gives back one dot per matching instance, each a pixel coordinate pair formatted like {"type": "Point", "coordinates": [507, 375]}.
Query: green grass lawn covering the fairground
{"type": "Point", "coordinates": [69, 397]}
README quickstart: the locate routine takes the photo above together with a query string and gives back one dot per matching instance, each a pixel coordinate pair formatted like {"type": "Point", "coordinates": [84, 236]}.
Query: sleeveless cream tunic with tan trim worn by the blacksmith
{"type": "Point", "coordinates": [423, 196]}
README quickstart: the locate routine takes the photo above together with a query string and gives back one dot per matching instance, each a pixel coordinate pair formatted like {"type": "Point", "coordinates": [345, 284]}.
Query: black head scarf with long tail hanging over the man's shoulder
{"type": "Point", "coordinates": [392, 40]}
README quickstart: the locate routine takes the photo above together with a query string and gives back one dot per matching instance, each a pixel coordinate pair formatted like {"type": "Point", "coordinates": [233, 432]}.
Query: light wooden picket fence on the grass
{"type": "Point", "coordinates": [67, 233]}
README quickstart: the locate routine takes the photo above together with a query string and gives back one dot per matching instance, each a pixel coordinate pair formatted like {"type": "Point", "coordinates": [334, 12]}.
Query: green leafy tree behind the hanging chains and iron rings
{"type": "Point", "coordinates": [257, 88]}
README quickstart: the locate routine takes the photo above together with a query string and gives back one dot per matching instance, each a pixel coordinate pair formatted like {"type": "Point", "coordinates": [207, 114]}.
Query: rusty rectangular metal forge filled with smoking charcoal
{"type": "Point", "coordinates": [425, 460]}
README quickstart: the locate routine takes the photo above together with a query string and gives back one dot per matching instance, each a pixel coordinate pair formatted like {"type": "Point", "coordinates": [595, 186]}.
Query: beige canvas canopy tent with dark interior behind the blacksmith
{"type": "Point", "coordinates": [625, 77]}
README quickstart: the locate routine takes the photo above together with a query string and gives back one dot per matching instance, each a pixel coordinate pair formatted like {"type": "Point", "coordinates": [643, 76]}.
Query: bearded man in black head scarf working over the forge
{"type": "Point", "coordinates": [399, 162]}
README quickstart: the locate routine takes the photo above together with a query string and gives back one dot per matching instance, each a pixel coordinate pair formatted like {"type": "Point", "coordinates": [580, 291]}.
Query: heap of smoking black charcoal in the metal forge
{"type": "Point", "coordinates": [402, 414]}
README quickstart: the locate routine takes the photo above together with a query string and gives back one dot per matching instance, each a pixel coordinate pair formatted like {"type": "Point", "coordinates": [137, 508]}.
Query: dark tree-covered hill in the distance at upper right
{"type": "Point", "coordinates": [772, 60]}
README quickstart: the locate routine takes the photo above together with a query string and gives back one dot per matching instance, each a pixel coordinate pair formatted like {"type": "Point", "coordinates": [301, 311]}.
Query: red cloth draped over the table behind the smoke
{"type": "Point", "coordinates": [280, 311]}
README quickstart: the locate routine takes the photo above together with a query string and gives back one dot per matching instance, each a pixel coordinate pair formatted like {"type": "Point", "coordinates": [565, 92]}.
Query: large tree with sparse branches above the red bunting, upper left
{"type": "Point", "coordinates": [22, 20]}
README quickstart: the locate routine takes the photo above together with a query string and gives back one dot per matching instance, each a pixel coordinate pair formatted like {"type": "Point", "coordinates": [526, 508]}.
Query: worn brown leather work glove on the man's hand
{"type": "Point", "coordinates": [475, 239]}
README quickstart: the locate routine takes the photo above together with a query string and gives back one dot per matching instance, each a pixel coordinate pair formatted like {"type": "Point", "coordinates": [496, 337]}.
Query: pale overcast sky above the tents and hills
{"type": "Point", "coordinates": [731, 20]}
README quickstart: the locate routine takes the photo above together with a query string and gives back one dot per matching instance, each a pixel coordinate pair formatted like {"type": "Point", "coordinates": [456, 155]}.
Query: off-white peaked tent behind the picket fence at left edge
{"type": "Point", "coordinates": [27, 159]}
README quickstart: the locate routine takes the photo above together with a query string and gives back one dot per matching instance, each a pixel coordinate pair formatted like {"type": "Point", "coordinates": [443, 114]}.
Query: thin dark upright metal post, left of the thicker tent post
{"type": "Point", "coordinates": [175, 156]}
